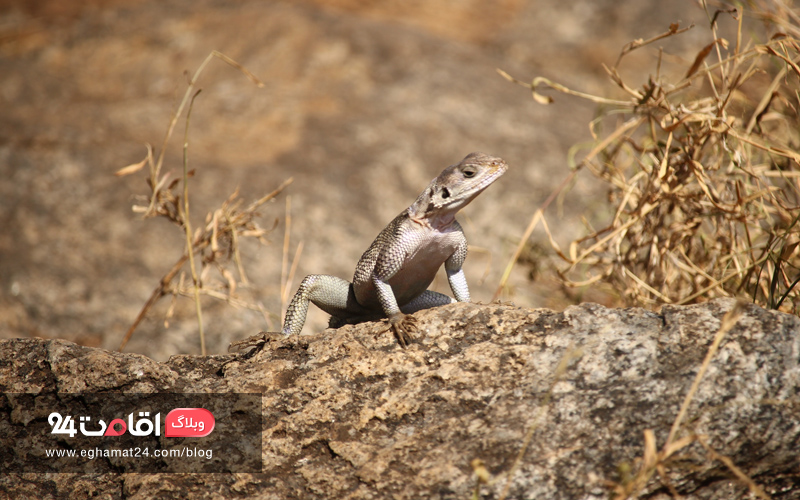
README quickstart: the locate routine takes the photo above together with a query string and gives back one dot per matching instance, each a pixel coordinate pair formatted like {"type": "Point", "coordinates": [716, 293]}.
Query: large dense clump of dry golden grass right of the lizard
{"type": "Point", "coordinates": [702, 173]}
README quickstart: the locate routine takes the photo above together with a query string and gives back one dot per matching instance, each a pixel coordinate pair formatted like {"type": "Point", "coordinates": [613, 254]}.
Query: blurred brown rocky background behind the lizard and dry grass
{"type": "Point", "coordinates": [363, 103]}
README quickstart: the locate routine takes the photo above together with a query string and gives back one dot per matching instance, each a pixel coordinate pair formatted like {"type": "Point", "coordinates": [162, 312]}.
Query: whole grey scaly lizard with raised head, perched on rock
{"type": "Point", "coordinates": [392, 277]}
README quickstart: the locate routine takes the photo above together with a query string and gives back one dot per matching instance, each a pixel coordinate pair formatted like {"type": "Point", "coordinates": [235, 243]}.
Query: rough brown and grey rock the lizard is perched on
{"type": "Point", "coordinates": [348, 414]}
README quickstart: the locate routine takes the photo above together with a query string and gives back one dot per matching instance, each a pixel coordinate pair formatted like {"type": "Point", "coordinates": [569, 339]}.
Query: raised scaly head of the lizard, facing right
{"type": "Point", "coordinates": [456, 186]}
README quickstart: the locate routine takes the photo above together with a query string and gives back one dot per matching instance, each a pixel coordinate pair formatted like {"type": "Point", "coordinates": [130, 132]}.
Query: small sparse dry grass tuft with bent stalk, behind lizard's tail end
{"type": "Point", "coordinates": [215, 244]}
